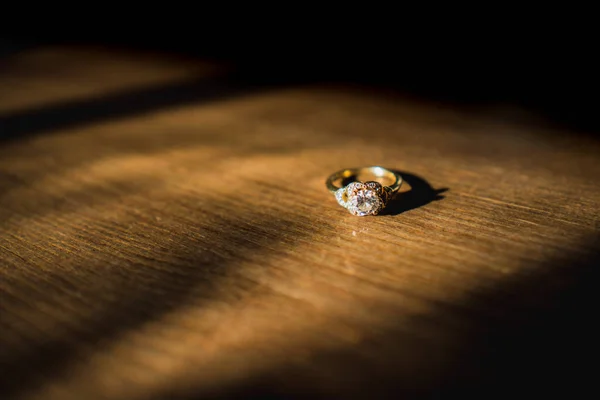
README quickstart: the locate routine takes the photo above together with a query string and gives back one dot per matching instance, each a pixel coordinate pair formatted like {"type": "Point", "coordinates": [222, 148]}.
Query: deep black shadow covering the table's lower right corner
{"type": "Point", "coordinates": [532, 334]}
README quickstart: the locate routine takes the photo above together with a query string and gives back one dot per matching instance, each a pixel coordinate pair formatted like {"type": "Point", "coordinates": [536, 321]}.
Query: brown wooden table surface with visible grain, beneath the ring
{"type": "Point", "coordinates": [165, 232]}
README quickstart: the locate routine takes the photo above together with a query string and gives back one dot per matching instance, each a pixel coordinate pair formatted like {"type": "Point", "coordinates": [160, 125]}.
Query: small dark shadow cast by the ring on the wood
{"type": "Point", "coordinates": [420, 194]}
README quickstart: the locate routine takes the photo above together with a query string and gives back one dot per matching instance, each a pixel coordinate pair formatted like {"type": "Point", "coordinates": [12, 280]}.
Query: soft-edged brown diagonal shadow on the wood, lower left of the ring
{"type": "Point", "coordinates": [121, 295]}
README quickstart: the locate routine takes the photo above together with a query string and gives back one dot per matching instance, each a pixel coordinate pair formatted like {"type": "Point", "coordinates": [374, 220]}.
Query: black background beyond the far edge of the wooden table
{"type": "Point", "coordinates": [538, 64]}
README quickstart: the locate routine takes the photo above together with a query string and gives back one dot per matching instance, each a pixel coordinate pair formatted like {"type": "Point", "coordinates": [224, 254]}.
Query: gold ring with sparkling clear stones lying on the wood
{"type": "Point", "coordinates": [364, 191]}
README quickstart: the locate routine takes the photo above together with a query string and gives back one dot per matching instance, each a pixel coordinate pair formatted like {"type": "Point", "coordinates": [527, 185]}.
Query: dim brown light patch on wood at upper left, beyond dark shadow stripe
{"type": "Point", "coordinates": [53, 75]}
